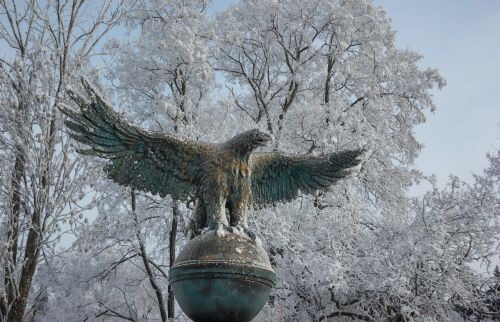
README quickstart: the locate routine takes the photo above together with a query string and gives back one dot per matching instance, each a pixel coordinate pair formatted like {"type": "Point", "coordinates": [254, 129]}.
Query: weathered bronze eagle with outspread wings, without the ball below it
{"type": "Point", "coordinates": [228, 175]}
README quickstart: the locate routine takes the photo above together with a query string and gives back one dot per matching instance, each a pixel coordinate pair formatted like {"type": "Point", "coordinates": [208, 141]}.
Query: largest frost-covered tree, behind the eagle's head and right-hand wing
{"type": "Point", "coordinates": [325, 76]}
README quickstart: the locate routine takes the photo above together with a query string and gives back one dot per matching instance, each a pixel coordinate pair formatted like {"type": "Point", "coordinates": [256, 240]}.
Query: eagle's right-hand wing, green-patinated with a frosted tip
{"type": "Point", "coordinates": [279, 177]}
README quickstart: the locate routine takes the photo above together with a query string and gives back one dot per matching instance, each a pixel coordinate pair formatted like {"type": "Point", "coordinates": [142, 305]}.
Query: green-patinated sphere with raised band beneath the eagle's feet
{"type": "Point", "coordinates": [222, 278]}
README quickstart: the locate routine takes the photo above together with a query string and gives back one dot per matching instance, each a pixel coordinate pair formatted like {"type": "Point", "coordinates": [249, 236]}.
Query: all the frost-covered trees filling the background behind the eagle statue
{"type": "Point", "coordinates": [320, 76]}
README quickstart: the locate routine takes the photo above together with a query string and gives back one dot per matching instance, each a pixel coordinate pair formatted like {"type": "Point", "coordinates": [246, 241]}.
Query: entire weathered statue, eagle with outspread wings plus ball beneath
{"type": "Point", "coordinates": [215, 278]}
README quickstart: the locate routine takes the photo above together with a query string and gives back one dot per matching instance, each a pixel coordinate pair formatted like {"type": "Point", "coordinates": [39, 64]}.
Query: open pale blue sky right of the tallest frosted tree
{"type": "Point", "coordinates": [461, 38]}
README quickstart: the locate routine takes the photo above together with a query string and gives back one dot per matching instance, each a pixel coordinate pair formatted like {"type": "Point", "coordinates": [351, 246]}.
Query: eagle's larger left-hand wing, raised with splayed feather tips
{"type": "Point", "coordinates": [148, 161]}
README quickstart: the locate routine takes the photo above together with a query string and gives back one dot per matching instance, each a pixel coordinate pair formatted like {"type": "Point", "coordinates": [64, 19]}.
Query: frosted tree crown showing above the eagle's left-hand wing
{"type": "Point", "coordinates": [161, 70]}
